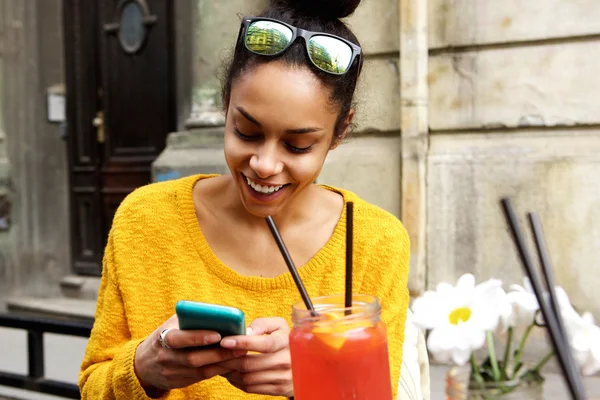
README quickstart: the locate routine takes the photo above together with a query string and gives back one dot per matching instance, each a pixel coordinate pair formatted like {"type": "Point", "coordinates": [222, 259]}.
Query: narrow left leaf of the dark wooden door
{"type": "Point", "coordinates": [83, 153]}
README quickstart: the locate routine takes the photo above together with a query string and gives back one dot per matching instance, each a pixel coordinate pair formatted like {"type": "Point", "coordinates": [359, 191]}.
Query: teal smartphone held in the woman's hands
{"type": "Point", "coordinates": [227, 321]}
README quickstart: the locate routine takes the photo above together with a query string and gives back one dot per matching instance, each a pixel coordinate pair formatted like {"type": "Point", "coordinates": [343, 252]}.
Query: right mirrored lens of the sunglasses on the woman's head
{"type": "Point", "coordinates": [330, 54]}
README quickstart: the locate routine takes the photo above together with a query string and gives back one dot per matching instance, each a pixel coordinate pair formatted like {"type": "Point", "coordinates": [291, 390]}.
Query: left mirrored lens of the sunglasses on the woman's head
{"type": "Point", "coordinates": [268, 37]}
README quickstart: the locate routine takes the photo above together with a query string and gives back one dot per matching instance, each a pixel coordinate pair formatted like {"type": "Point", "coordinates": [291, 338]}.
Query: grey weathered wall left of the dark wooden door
{"type": "Point", "coordinates": [32, 153]}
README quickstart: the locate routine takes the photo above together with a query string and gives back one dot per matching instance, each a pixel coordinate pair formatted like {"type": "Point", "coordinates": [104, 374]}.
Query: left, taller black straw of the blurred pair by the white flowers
{"type": "Point", "coordinates": [573, 379]}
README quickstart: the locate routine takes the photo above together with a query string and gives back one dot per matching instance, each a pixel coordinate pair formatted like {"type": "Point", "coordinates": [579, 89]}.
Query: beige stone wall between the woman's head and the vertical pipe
{"type": "Point", "coordinates": [370, 164]}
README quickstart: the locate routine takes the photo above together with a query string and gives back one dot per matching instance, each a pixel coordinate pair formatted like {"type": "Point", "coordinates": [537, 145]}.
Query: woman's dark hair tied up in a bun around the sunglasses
{"type": "Point", "coordinates": [313, 15]}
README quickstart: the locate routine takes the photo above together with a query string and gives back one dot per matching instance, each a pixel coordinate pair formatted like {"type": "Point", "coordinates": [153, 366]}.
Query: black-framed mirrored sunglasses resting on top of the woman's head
{"type": "Point", "coordinates": [270, 37]}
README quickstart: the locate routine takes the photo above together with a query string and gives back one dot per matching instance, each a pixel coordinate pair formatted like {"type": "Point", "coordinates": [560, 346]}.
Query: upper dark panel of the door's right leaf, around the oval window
{"type": "Point", "coordinates": [137, 89]}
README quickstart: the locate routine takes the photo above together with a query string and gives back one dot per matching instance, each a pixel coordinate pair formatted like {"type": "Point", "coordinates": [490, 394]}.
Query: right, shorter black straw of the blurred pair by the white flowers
{"type": "Point", "coordinates": [544, 256]}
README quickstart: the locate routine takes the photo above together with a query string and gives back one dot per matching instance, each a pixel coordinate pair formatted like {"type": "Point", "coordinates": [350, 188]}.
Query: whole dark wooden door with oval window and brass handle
{"type": "Point", "coordinates": [120, 108]}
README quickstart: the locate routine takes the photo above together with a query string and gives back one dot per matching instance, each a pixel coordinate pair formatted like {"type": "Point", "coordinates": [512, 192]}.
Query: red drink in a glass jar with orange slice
{"type": "Point", "coordinates": [340, 357]}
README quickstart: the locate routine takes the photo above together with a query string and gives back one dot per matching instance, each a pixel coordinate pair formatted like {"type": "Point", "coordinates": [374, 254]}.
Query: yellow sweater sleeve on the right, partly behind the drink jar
{"type": "Point", "coordinates": [387, 278]}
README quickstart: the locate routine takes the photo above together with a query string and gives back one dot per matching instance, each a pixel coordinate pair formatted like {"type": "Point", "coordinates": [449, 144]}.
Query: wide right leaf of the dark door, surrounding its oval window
{"type": "Point", "coordinates": [138, 100]}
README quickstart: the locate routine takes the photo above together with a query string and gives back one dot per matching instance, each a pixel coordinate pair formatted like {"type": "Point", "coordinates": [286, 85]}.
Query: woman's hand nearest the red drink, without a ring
{"type": "Point", "coordinates": [267, 371]}
